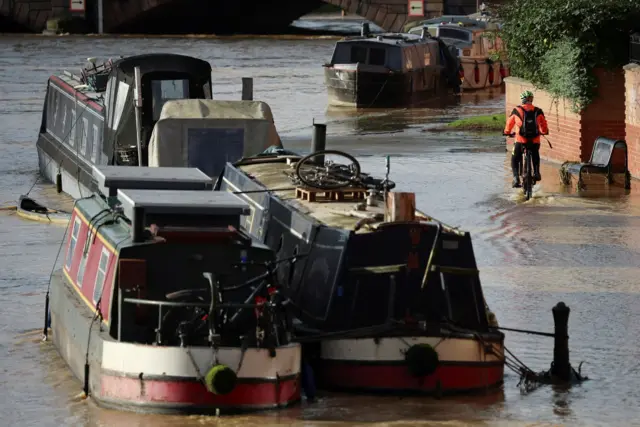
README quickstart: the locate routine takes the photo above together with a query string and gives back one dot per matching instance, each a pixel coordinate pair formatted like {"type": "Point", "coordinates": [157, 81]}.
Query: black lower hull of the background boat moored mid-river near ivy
{"type": "Point", "coordinates": [367, 89]}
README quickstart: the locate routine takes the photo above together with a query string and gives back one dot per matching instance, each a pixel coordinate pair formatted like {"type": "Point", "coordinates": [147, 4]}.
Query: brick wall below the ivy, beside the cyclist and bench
{"type": "Point", "coordinates": [572, 134]}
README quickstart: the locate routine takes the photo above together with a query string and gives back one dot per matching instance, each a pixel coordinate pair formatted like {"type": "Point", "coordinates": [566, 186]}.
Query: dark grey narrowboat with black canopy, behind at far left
{"type": "Point", "coordinates": [105, 114]}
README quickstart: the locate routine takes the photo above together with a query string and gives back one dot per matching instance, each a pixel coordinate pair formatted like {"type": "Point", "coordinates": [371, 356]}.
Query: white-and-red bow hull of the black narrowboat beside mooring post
{"type": "Point", "coordinates": [379, 365]}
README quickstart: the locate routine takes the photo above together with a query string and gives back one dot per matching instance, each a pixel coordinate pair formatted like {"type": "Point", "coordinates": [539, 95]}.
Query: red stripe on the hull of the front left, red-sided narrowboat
{"type": "Point", "coordinates": [150, 393]}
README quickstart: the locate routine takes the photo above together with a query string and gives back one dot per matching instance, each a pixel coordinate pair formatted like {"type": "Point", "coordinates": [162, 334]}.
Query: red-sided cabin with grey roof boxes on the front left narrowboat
{"type": "Point", "coordinates": [158, 235]}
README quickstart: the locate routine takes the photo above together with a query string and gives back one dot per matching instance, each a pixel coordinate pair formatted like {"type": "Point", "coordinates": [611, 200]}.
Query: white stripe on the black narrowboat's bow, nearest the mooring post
{"type": "Point", "coordinates": [393, 349]}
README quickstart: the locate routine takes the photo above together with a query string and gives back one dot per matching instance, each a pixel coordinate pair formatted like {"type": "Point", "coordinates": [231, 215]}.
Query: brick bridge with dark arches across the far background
{"type": "Point", "coordinates": [205, 16]}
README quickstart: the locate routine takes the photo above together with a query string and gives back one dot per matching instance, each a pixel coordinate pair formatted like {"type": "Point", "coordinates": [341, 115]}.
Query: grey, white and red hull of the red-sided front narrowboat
{"type": "Point", "coordinates": [158, 379]}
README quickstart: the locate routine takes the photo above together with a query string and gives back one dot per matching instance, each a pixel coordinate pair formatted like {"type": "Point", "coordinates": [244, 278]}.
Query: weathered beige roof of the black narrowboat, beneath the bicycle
{"type": "Point", "coordinates": [334, 213]}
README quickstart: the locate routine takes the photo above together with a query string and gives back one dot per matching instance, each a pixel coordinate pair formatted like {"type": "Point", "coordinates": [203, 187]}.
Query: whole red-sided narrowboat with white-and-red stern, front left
{"type": "Point", "coordinates": [164, 305]}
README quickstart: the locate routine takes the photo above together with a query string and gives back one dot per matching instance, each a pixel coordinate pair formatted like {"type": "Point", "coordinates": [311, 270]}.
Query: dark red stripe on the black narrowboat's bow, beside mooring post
{"type": "Point", "coordinates": [453, 378]}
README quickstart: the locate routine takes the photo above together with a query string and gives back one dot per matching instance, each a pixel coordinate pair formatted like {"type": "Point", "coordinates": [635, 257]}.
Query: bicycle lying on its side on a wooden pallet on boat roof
{"type": "Point", "coordinates": [316, 172]}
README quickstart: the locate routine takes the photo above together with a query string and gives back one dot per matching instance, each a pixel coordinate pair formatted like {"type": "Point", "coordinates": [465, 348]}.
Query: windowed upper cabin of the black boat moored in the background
{"type": "Point", "coordinates": [389, 51]}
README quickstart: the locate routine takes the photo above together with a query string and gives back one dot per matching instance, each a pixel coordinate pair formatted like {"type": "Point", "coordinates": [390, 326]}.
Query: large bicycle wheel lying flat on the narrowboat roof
{"type": "Point", "coordinates": [315, 171]}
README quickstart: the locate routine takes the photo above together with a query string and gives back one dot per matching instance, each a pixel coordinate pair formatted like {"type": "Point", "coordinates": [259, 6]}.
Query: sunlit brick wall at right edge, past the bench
{"type": "Point", "coordinates": [632, 116]}
